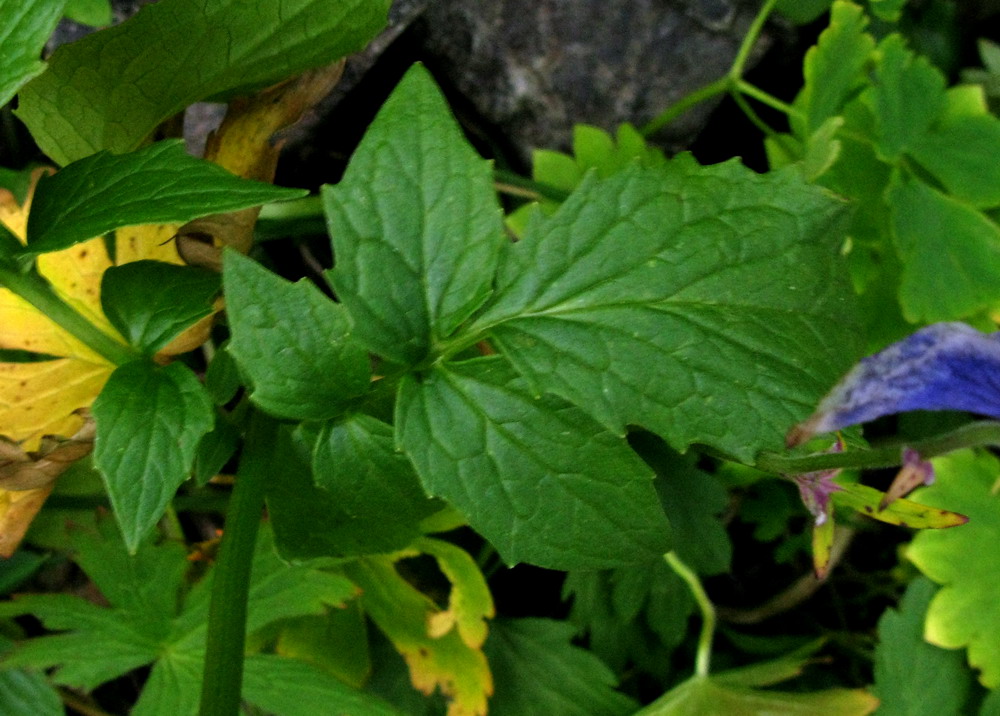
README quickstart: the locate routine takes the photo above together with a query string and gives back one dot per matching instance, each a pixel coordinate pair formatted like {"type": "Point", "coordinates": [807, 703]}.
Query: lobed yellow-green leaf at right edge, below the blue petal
{"type": "Point", "coordinates": [964, 560]}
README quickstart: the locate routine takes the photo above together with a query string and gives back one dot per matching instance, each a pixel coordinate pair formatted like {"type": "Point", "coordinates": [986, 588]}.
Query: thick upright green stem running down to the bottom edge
{"type": "Point", "coordinates": [227, 615]}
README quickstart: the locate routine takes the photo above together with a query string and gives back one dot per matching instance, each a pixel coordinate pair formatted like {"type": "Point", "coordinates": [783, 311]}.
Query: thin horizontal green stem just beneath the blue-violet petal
{"type": "Point", "coordinates": [979, 434]}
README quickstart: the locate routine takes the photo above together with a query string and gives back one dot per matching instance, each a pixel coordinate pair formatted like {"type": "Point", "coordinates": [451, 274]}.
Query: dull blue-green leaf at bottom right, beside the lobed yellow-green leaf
{"type": "Point", "coordinates": [912, 677]}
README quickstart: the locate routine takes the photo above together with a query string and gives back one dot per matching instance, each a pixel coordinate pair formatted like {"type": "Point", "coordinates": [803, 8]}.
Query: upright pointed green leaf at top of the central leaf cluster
{"type": "Point", "coordinates": [415, 224]}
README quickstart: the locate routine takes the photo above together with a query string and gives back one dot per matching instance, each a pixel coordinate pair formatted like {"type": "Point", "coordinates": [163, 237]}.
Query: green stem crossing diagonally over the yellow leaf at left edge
{"type": "Point", "coordinates": [36, 290]}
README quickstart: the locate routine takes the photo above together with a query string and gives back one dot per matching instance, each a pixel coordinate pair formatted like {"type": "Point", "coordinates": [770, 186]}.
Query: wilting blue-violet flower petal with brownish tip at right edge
{"type": "Point", "coordinates": [945, 366]}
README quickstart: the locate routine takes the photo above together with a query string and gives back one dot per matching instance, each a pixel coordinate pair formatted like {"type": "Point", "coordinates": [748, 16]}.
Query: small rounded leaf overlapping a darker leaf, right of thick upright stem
{"type": "Point", "coordinates": [356, 463]}
